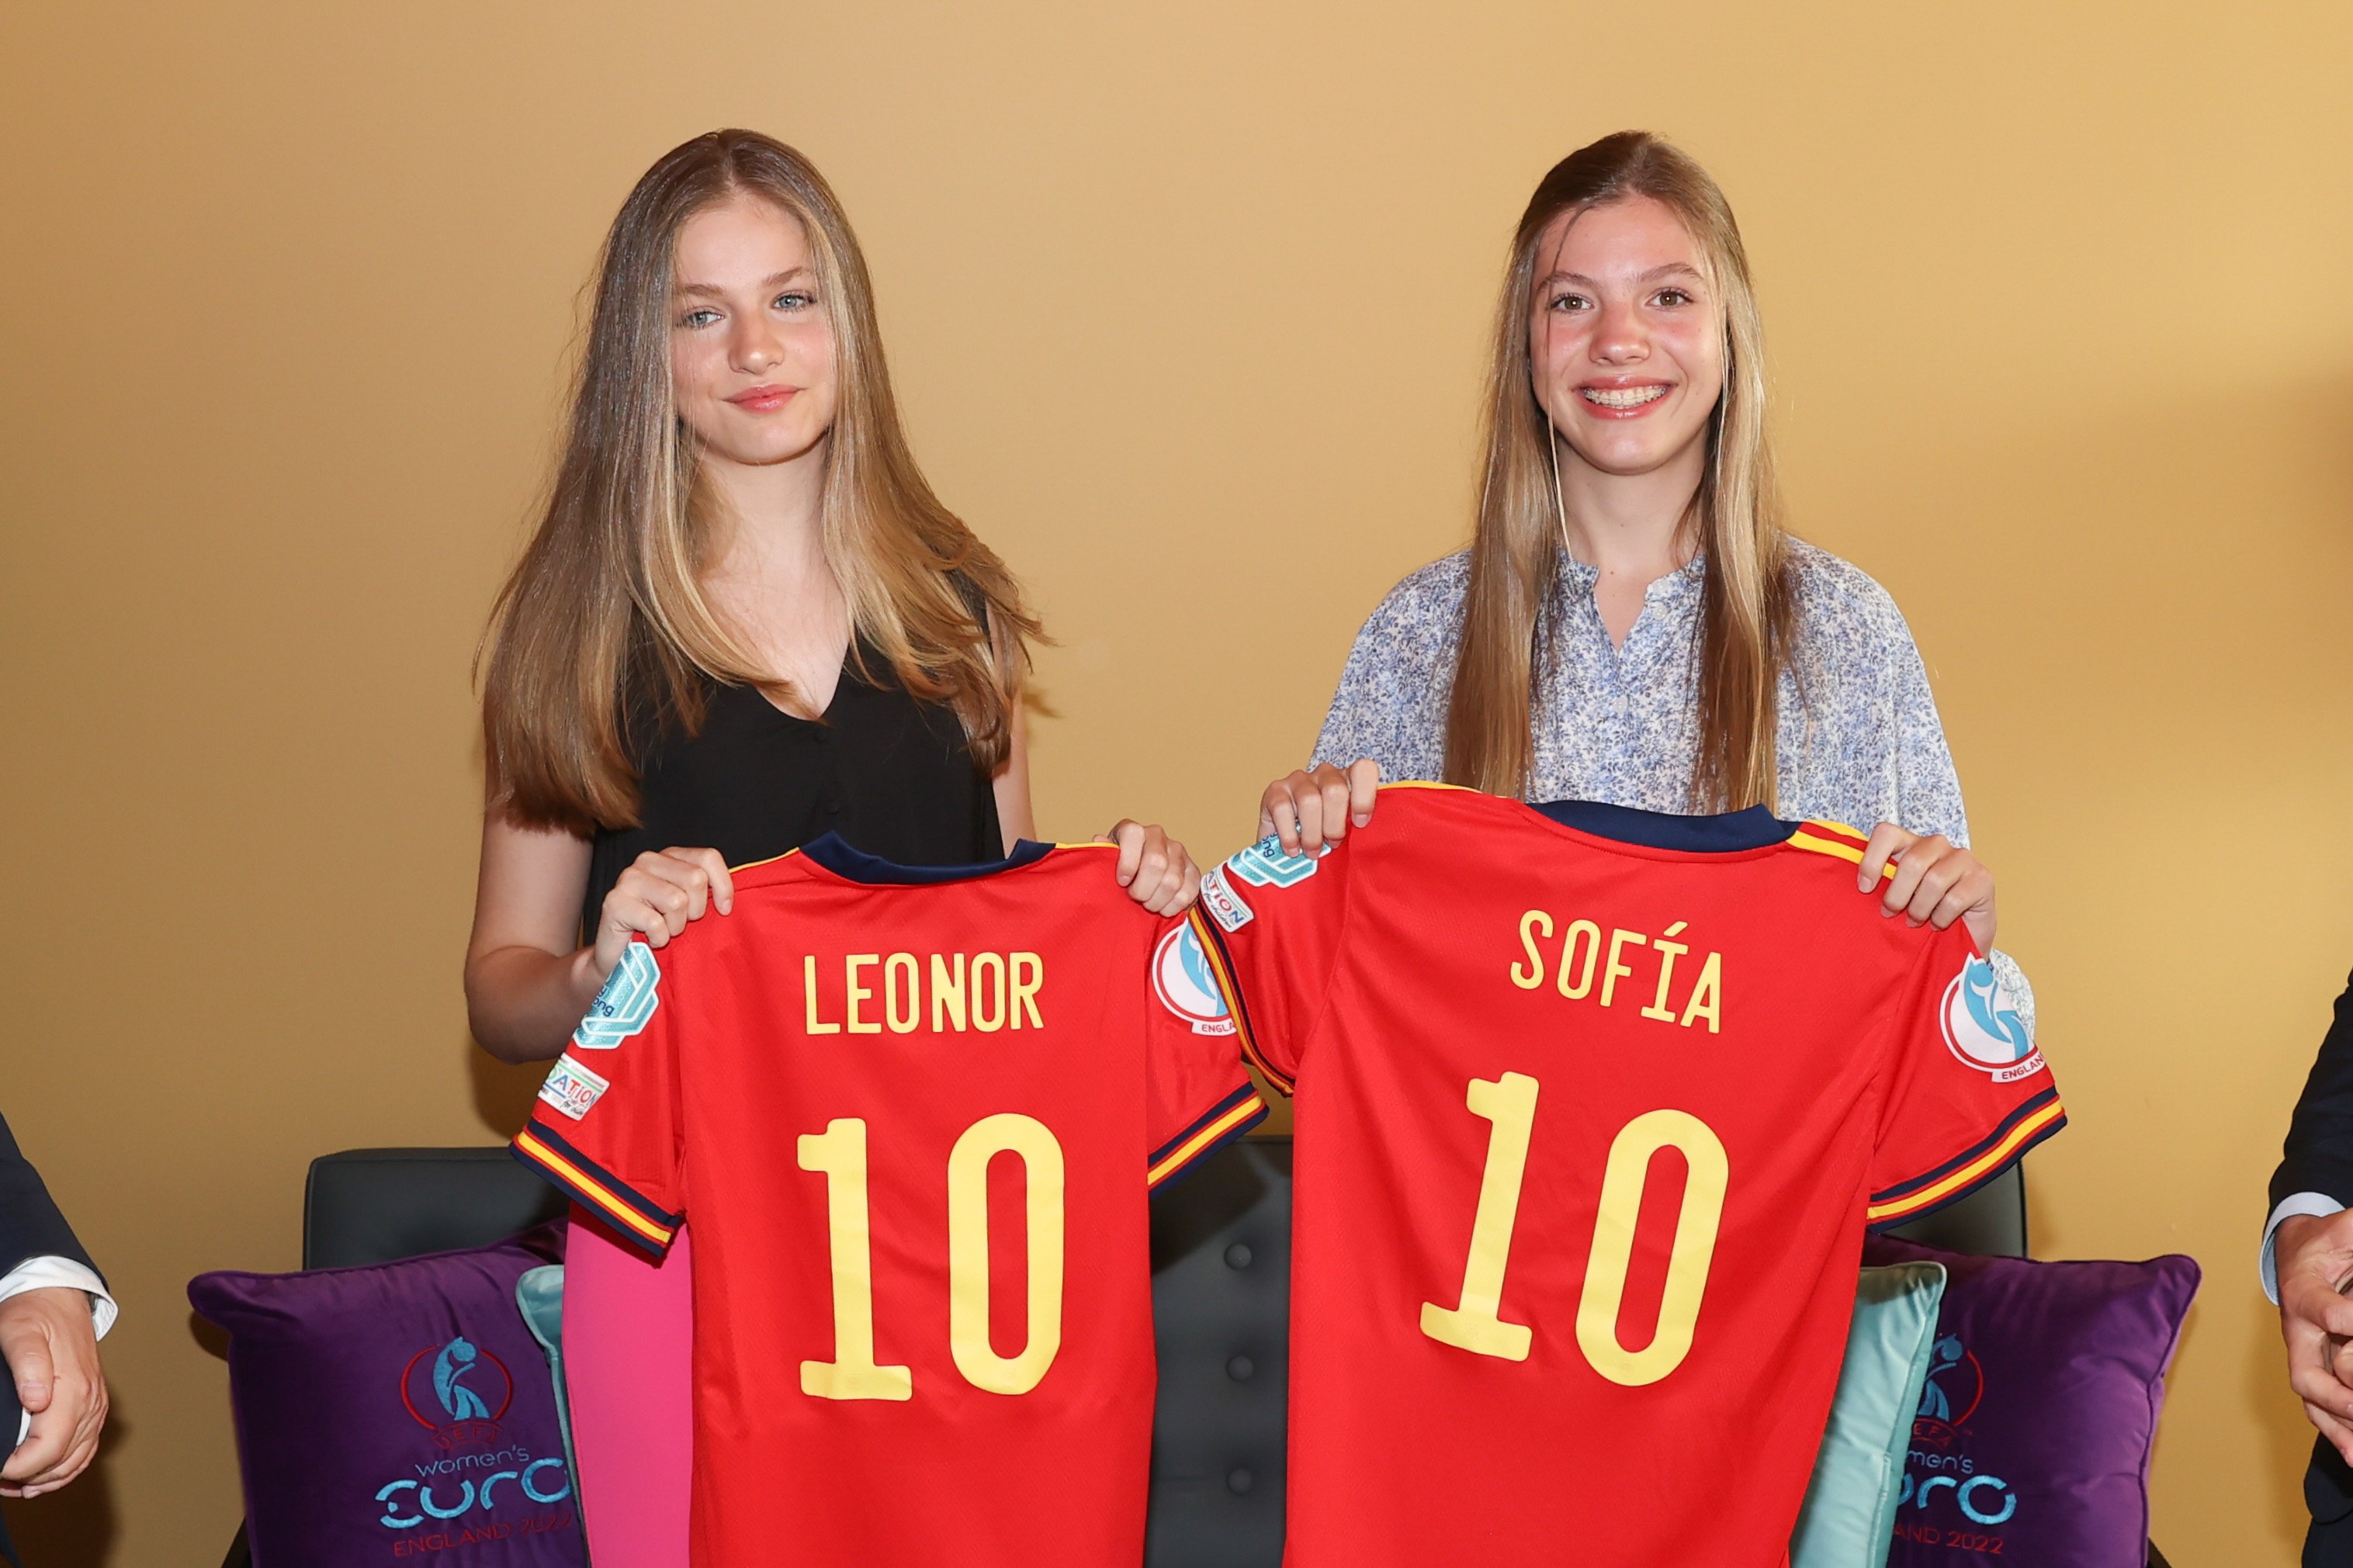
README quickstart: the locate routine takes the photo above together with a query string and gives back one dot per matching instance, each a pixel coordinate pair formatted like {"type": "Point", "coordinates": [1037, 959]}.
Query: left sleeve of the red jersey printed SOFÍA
{"type": "Point", "coordinates": [1272, 927]}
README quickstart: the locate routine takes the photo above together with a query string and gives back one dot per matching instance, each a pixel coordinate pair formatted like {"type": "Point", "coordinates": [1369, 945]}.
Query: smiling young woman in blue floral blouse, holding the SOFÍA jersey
{"type": "Point", "coordinates": [1632, 622]}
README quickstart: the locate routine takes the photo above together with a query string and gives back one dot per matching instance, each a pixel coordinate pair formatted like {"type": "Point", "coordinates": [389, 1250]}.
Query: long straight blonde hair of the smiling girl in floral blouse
{"type": "Point", "coordinates": [1747, 617]}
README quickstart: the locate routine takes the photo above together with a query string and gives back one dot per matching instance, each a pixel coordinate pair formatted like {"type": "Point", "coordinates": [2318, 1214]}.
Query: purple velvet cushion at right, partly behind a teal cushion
{"type": "Point", "coordinates": [2046, 1381]}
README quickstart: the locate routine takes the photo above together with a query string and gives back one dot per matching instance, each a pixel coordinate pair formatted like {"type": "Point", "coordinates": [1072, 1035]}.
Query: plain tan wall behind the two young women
{"type": "Point", "coordinates": [1187, 311]}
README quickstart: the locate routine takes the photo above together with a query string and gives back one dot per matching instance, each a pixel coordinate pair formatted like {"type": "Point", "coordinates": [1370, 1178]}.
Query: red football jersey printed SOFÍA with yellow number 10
{"type": "Point", "coordinates": [1592, 1113]}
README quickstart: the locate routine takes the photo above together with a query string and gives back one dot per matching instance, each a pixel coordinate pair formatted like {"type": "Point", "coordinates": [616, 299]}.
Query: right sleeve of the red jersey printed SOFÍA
{"type": "Point", "coordinates": [1966, 1087]}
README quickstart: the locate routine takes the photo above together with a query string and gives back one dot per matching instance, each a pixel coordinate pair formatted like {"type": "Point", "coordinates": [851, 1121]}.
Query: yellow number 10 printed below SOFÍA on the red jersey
{"type": "Point", "coordinates": [1479, 1322]}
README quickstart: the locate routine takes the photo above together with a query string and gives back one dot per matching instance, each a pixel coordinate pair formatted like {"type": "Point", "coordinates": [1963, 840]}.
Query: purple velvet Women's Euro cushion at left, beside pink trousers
{"type": "Point", "coordinates": [396, 1414]}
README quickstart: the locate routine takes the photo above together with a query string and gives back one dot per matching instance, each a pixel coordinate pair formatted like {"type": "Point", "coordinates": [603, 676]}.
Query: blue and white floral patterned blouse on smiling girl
{"type": "Point", "coordinates": [1860, 737]}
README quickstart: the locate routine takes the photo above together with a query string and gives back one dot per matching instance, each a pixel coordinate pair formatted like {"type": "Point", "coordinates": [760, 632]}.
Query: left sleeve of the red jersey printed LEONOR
{"type": "Point", "coordinates": [608, 1120]}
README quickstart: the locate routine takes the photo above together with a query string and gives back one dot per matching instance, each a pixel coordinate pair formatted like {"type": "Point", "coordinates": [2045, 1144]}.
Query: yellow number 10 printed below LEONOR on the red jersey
{"type": "Point", "coordinates": [853, 1374]}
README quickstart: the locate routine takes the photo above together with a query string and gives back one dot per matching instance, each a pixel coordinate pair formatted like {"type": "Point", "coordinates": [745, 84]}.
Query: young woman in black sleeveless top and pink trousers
{"type": "Point", "coordinates": [745, 622]}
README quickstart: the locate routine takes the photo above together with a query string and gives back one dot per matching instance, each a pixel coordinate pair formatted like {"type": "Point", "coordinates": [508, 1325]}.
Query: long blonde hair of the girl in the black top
{"type": "Point", "coordinates": [606, 622]}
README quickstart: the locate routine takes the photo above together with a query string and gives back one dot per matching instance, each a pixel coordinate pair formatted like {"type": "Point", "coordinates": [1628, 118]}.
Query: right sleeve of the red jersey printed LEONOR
{"type": "Point", "coordinates": [1199, 1097]}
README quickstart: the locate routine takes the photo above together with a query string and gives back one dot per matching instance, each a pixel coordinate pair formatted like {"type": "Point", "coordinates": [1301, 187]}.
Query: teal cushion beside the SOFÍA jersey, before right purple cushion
{"type": "Point", "coordinates": [1851, 1506]}
